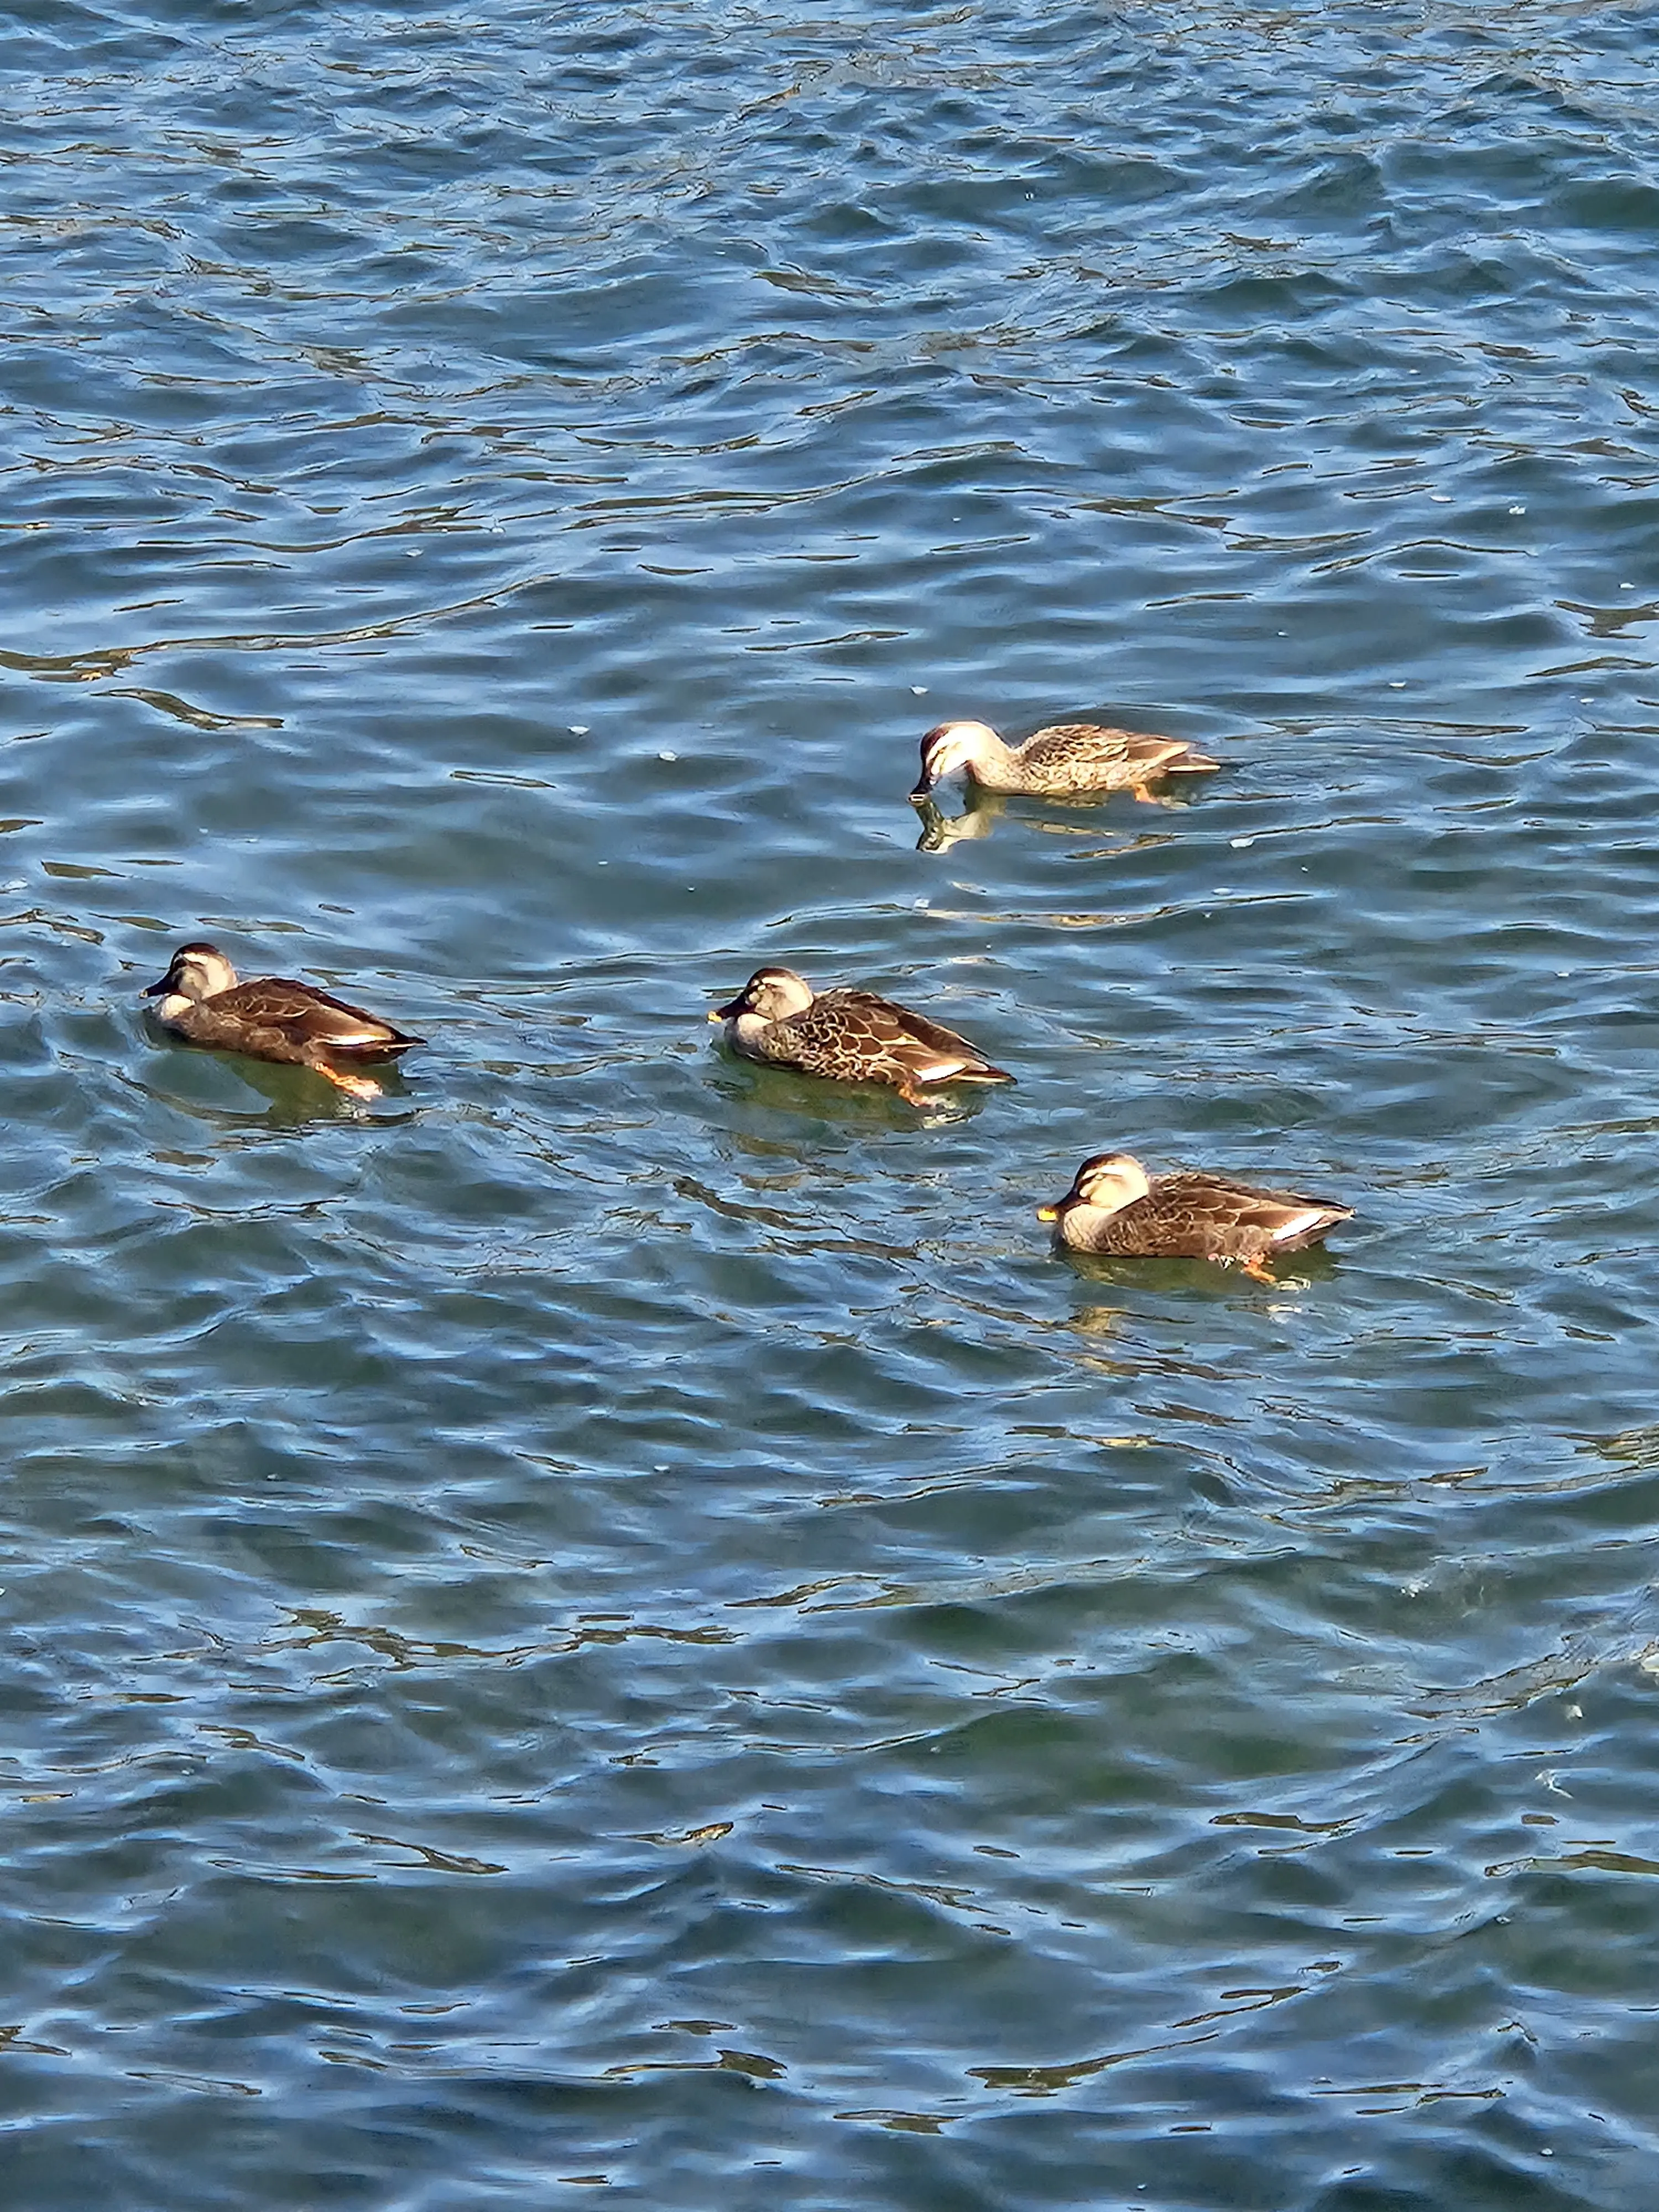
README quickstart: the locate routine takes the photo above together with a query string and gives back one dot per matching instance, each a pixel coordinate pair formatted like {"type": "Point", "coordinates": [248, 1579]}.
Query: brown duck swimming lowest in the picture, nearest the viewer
{"type": "Point", "coordinates": [1116, 1207]}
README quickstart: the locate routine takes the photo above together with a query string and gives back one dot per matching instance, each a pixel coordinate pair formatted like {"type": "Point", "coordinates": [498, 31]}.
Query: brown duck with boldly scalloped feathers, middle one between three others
{"type": "Point", "coordinates": [848, 1036]}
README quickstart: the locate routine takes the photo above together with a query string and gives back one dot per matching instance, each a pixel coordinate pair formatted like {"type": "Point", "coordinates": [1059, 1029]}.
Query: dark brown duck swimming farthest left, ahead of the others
{"type": "Point", "coordinates": [273, 1019]}
